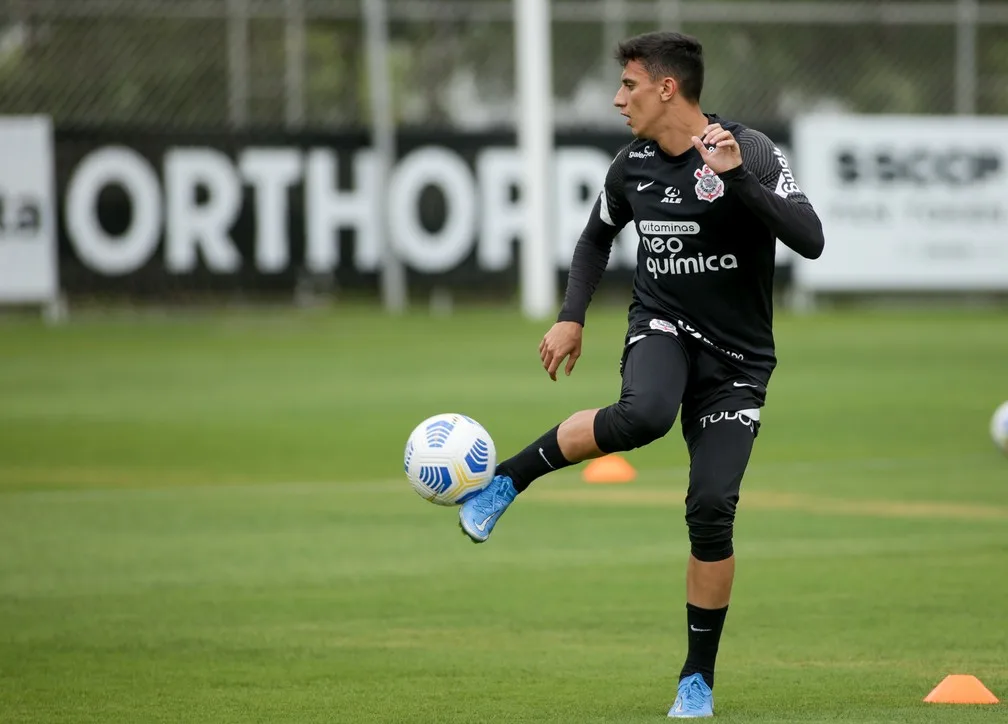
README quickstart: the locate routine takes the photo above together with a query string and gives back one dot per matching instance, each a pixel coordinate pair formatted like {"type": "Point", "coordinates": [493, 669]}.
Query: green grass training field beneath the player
{"type": "Point", "coordinates": [204, 519]}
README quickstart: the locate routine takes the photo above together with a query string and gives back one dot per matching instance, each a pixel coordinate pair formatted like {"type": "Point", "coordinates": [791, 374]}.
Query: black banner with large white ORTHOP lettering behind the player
{"type": "Point", "coordinates": [151, 214]}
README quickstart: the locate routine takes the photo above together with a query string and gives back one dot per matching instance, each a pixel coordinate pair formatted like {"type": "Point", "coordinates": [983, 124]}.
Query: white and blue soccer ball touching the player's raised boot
{"type": "Point", "coordinates": [450, 458]}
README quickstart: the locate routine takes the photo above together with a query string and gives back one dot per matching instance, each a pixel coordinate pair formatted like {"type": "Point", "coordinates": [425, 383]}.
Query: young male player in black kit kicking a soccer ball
{"type": "Point", "coordinates": [709, 198]}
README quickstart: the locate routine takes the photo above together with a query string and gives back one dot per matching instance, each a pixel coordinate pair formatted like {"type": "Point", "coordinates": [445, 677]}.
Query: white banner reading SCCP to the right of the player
{"type": "Point", "coordinates": [908, 203]}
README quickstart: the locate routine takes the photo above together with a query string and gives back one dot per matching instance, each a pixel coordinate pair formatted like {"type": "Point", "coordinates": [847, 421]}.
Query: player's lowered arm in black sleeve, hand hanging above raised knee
{"type": "Point", "coordinates": [591, 257]}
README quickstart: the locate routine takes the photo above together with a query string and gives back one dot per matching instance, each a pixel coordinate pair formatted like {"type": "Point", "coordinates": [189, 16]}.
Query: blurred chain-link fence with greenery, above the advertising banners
{"type": "Point", "coordinates": [232, 64]}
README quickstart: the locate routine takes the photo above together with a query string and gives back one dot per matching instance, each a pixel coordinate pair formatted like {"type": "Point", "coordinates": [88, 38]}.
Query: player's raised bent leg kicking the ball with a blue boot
{"type": "Point", "coordinates": [655, 375]}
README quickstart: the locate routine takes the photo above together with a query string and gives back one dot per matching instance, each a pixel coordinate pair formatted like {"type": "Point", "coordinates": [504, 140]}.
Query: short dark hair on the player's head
{"type": "Point", "coordinates": [668, 54]}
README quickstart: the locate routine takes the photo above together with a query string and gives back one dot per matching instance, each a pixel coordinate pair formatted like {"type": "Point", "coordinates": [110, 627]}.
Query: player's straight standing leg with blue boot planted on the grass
{"type": "Point", "coordinates": [720, 446]}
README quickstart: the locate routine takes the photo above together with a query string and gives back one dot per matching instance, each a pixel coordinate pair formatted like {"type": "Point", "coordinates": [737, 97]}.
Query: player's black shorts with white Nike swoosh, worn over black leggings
{"type": "Point", "coordinates": [715, 385]}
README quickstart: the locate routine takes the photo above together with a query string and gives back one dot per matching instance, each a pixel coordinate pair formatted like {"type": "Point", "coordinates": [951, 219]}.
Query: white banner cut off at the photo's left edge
{"type": "Point", "coordinates": [29, 259]}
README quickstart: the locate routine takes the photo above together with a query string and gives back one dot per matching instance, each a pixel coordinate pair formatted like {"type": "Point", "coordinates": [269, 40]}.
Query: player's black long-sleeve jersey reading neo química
{"type": "Point", "coordinates": [706, 259]}
